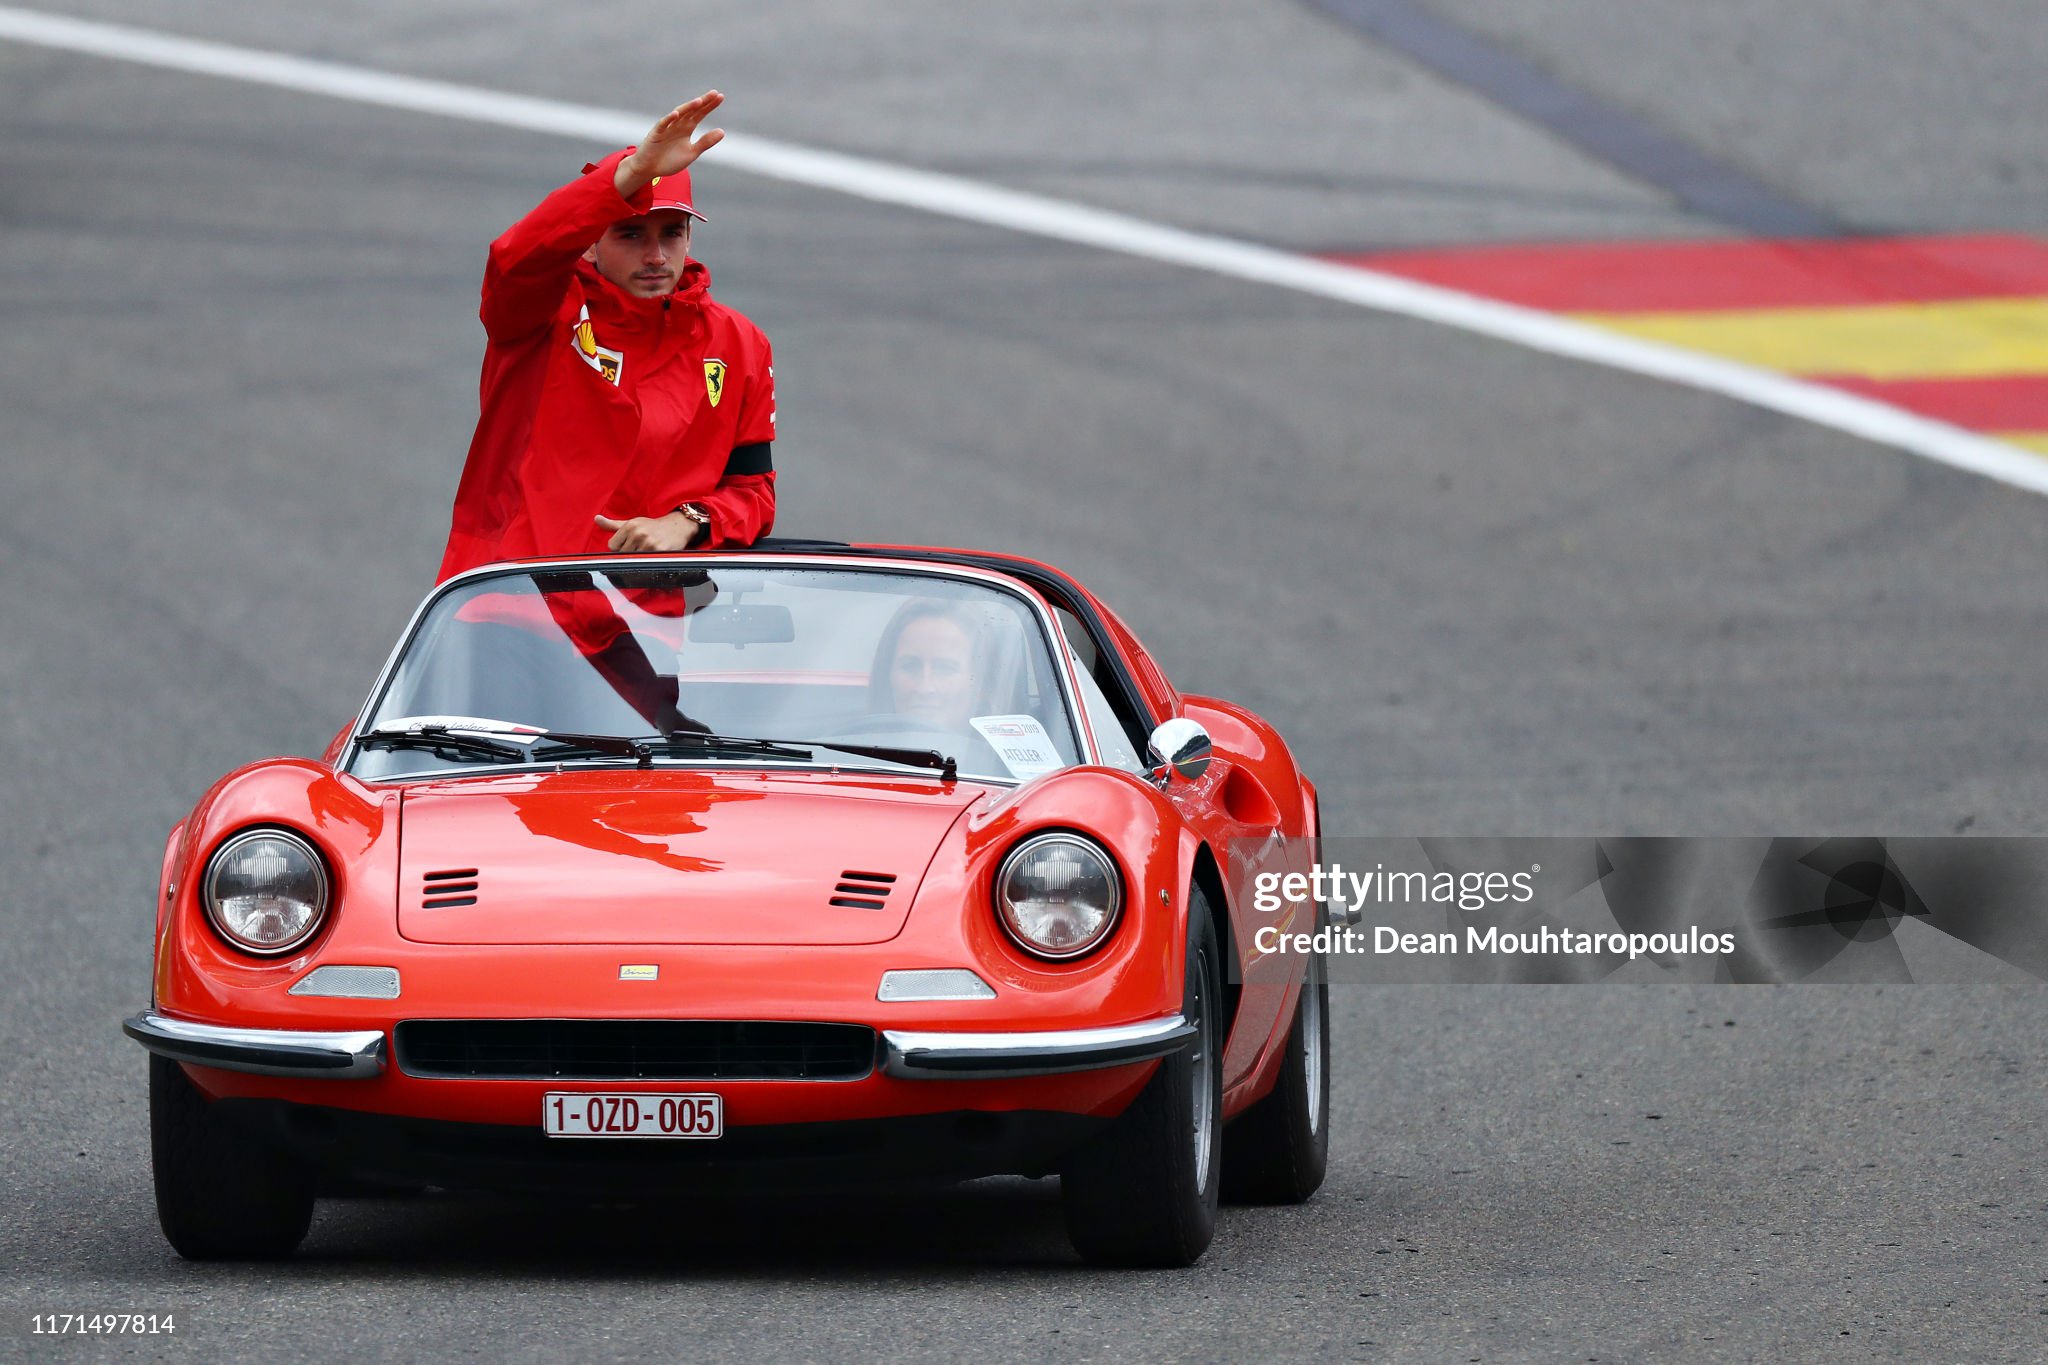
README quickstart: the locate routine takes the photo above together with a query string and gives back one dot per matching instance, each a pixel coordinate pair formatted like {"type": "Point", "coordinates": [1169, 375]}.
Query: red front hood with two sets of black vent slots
{"type": "Point", "coordinates": [669, 856]}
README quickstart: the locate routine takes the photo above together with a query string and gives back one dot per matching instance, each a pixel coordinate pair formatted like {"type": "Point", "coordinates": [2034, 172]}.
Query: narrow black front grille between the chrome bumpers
{"type": "Point", "coordinates": [634, 1051]}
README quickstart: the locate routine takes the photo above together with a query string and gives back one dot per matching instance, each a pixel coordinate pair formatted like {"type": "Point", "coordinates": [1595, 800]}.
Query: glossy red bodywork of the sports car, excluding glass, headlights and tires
{"type": "Point", "coordinates": [583, 873]}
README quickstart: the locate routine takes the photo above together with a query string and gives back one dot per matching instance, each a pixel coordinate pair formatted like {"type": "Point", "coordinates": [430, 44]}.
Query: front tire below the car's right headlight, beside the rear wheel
{"type": "Point", "coordinates": [1146, 1192]}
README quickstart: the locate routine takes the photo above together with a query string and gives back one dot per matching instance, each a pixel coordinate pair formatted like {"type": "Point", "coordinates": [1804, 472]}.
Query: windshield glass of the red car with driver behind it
{"type": "Point", "coordinates": [792, 654]}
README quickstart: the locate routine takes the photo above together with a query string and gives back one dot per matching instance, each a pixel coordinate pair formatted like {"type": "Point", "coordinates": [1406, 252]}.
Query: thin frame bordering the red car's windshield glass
{"type": "Point", "coordinates": [1052, 637]}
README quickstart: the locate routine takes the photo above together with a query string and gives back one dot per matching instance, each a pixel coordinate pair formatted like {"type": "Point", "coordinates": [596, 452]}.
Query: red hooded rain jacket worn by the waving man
{"type": "Point", "coordinates": [597, 402]}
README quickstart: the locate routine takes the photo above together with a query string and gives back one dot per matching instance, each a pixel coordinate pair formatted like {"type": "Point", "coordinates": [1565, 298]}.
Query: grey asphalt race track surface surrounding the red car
{"type": "Point", "coordinates": [1486, 590]}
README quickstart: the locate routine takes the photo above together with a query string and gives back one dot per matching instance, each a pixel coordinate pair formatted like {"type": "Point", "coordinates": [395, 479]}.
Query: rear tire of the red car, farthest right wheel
{"type": "Point", "coordinates": [1279, 1147]}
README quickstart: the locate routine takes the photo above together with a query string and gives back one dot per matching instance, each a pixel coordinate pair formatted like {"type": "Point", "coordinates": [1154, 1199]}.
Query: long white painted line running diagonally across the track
{"type": "Point", "coordinates": [1066, 222]}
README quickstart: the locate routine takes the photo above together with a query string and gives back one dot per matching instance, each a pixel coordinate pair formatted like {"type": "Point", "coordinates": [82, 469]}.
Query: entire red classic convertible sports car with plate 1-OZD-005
{"type": "Point", "coordinates": [808, 863]}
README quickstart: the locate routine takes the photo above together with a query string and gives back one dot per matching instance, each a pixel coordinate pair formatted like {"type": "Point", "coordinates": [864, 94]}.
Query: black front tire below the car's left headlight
{"type": "Point", "coordinates": [220, 1194]}
